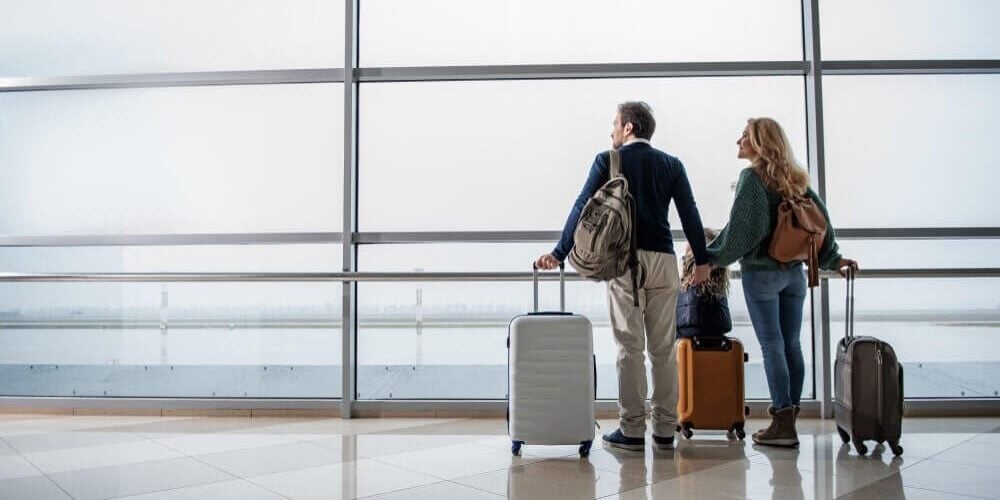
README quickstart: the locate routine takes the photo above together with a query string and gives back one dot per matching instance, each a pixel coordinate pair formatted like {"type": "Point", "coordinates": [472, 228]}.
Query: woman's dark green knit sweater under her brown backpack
{"type": "Point", "coordinates": [747, 236]}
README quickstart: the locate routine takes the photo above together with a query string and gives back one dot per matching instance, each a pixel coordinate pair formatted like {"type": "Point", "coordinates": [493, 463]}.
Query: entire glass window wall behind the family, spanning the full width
{"type": "Point", "coordinates": [200, 138]}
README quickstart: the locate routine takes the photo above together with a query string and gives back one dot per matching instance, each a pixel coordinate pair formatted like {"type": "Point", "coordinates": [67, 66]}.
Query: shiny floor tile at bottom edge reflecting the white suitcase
{"type": "Point", "coordinates": [570, 478]}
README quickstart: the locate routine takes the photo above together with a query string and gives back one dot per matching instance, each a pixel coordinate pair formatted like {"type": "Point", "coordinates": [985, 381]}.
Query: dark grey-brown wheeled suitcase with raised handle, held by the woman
{"type": "Point", "coordinates": [868, 387]}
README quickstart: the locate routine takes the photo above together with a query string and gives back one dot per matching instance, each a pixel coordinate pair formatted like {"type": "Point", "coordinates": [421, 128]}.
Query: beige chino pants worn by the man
{"type": "Point", "coordinates": [651, 327]}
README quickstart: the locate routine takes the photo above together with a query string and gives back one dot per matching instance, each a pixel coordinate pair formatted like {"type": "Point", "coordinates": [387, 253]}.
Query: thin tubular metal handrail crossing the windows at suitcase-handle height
{"type": "Point", "coordinates": [989, 272]}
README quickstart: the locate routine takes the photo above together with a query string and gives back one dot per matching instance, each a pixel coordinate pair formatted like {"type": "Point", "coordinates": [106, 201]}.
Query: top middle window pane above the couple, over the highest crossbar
{"type": "Point", "coordinates": [472, 32]}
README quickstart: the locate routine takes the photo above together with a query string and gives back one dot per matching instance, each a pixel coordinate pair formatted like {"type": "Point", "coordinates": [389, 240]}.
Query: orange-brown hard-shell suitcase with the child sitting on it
{"type": "Point", "coordinates": [710, 385]}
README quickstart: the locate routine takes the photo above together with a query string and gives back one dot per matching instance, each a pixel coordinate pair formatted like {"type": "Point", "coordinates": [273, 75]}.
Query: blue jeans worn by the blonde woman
{"type": "Point", "coordinates": [775, 300]}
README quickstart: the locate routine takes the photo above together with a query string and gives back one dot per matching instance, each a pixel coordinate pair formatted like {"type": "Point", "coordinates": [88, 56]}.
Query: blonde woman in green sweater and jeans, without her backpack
{"type": "Point", "coordinates": [774, 296]}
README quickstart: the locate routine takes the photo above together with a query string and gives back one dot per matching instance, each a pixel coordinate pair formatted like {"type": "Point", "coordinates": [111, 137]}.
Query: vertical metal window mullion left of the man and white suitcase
{"type": "Point", "coordinates": [348, 326]}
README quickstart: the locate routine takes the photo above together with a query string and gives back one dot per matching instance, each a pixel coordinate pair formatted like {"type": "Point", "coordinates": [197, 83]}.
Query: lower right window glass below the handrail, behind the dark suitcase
{"type": "Point", "coordinates": [948, 342]}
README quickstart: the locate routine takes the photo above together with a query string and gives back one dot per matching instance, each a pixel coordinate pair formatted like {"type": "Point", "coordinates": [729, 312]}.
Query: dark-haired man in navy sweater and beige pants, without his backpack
{"type": "Point", "coordinates": [654, 178]}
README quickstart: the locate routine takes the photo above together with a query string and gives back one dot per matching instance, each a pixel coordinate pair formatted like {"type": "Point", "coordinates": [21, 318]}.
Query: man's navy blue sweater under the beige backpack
{"type": "Point", "coordinates": [654, 178]}
